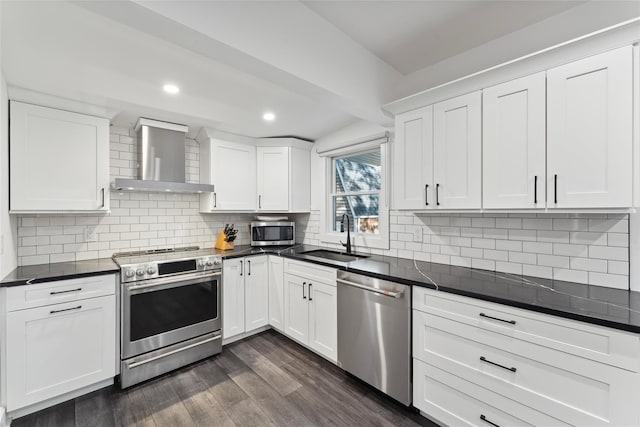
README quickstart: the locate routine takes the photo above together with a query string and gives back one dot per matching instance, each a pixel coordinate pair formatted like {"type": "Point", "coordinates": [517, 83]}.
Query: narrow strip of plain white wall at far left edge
{"type": "Point", "coordinates": [8, 234]}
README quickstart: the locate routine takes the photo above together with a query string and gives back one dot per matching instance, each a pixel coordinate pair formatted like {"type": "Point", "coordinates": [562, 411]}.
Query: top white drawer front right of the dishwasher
{"type": "Point", "coordinates": [605, 345]}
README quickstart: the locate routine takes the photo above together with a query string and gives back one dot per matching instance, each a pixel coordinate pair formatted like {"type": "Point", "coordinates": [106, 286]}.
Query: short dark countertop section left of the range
{"type": "Point", "coordinates": [58, 271]}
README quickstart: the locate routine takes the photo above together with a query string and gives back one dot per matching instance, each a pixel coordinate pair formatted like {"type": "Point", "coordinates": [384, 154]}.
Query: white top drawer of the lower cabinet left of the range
{"type": "Point", "coordinates": [28, 296]}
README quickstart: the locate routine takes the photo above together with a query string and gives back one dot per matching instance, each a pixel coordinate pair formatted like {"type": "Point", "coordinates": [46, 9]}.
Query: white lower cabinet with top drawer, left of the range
{"type": "Point", "coordinates": [60, 338]}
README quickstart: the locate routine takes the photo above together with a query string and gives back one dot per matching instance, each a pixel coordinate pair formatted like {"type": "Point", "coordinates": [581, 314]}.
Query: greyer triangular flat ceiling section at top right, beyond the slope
{"type": "Point", "coordinates": [411, 35]}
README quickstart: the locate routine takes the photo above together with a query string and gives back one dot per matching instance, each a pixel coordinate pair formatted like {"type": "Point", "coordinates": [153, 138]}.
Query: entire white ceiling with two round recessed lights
{"type": "Point", "coordinates": [317, 65]}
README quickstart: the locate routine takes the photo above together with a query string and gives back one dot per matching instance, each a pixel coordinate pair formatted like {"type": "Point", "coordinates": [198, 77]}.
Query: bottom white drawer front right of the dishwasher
{"type": "Point", "coordinates": [456, 402]}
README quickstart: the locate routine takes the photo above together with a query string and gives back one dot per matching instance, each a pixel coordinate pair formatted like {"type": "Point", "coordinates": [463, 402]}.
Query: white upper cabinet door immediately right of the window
{"type": "Point", "coordinates": [413, 160]}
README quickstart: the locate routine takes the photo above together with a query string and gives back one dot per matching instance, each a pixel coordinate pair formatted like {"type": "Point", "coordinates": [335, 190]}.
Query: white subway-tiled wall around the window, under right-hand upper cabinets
{"type": "Point", "coordinates": [583, 248]}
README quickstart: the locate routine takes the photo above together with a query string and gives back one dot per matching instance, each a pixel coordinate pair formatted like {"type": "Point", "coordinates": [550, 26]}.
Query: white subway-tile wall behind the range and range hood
{"type": "Point", "coordinates": [138, 220]}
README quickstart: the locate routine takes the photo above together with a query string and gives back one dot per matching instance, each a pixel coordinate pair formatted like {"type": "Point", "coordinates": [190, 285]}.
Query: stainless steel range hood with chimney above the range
{"type": "Point", "coordinates": [161, 167]}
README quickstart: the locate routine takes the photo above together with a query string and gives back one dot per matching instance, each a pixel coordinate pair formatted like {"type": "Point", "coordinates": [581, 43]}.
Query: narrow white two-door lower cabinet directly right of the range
{"type": "Point", "coordinates": [245, 295]}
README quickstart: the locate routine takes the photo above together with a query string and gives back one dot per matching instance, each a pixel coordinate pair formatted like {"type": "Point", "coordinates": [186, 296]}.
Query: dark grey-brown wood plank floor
{"type": "Point", "coordinates": [265, 380]}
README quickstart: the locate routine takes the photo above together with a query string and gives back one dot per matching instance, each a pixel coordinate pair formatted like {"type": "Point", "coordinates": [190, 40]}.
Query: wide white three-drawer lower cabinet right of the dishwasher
{"type": "Point", "coordinates": [516, 367]}
